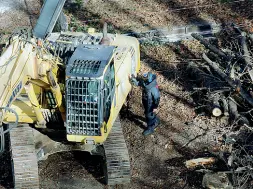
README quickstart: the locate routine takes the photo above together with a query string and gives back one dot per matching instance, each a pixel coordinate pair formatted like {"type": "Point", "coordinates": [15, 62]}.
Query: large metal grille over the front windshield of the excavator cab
{"type": "Point", "coordinates": [83, 107]}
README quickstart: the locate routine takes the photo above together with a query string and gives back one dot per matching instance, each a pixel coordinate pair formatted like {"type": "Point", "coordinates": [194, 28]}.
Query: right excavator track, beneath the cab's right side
{"type": "Point", "coordinates": [117, 157]}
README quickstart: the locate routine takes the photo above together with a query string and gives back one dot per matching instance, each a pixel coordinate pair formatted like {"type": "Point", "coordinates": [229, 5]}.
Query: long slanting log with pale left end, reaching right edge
{"type": "Point", "coordinates": [236, 85]}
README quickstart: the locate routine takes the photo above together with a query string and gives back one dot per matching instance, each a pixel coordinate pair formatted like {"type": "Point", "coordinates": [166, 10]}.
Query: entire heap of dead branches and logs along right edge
{"type": "Point", "coordinates": [225, 79]}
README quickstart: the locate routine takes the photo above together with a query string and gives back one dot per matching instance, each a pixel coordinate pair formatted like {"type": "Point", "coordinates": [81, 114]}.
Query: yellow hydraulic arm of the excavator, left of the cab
{"type": "Point", "coordinates": [23, 65]}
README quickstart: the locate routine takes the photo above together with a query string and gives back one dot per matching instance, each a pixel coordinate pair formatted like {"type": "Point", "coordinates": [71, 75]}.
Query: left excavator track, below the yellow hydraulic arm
{"type": "Point", "coordinates": [24, 158]}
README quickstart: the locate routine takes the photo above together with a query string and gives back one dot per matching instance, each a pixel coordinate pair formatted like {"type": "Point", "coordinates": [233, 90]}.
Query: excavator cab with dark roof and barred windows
{"type": "Point", "coordinates": [89, 90]}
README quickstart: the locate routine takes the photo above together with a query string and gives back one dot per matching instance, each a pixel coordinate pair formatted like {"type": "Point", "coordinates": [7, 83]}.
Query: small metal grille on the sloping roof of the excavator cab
{"type": "Point", "coordinates": [85, 67]}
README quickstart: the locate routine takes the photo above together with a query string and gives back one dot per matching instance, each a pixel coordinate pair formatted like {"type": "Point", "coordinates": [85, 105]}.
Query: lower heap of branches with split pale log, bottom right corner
{"type": "Point", "coordinates": [231, 165]}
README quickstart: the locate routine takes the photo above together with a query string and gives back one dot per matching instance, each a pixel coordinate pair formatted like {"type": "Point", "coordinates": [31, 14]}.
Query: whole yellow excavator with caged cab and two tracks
{"type": "Point", "coordinates": [62, 92]}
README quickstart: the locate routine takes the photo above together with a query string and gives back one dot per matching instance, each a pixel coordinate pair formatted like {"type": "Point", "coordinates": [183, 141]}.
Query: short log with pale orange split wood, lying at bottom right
{"type": "Point", "coordinates": [193, 163]}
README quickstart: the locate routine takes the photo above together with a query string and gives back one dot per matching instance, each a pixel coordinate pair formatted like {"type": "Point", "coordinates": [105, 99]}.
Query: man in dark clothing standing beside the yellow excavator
{"type": "Point", "coordinates": [150, 99]}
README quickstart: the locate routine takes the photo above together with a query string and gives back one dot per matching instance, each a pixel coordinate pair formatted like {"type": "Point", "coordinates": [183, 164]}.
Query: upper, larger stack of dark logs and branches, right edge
{"type": "Point", "coordinates": [226, 75]}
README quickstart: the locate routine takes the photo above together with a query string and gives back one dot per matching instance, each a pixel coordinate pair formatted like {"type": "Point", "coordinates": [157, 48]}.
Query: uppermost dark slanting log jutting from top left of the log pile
{"type": "Point", "coordinates": [211, 47]}
